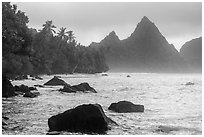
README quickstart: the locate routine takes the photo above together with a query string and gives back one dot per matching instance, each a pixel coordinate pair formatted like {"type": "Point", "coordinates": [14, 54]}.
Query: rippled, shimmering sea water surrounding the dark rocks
{"type": "Point", "coordinates": [167, 100]}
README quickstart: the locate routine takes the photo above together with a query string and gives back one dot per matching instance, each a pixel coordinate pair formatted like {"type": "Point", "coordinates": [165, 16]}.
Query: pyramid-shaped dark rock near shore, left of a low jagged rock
{"type": "Point", "coordinates": [56, 82]}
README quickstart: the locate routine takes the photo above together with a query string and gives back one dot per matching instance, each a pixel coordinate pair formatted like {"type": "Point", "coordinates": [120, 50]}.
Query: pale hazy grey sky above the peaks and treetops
{"type": "Point", "coordinates": [178, 22]}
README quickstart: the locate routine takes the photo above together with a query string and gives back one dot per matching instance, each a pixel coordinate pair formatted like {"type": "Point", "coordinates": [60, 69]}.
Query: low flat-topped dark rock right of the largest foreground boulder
{"type": "Point", "coordinates": [126, 107]}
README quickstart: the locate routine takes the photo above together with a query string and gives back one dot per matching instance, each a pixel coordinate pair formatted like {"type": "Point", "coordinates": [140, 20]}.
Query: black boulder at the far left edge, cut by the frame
{"type": "Point", "coordinates": [7, 88]}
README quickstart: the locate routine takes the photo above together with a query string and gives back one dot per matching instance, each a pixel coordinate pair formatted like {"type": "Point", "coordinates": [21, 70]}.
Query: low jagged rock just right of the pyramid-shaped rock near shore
{"type": "Point", "coordinates": [83, 87]}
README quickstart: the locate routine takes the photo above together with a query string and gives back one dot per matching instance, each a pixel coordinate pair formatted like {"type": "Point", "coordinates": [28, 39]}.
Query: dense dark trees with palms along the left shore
{"type": "Point", "coordinates": [27, 51]}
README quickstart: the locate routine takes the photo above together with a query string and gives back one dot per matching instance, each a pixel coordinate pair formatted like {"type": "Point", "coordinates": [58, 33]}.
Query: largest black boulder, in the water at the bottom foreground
{"type": "Point", "coordinates": [87, 118]}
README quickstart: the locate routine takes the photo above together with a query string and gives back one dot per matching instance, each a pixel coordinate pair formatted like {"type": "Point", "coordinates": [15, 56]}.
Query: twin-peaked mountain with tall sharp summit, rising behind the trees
{"type": "Point", "coordinates": [145, 50]}
